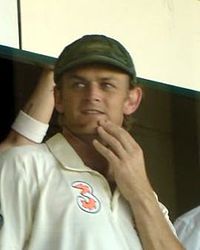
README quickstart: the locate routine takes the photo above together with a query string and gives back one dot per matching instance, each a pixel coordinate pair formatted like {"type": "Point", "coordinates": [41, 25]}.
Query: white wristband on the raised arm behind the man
{"type": "Point", "coordinates": [29, 127]}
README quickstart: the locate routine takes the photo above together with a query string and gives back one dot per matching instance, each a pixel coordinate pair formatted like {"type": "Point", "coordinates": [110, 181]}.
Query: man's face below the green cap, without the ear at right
{"type": "Point", "coordinates": [89, 94]}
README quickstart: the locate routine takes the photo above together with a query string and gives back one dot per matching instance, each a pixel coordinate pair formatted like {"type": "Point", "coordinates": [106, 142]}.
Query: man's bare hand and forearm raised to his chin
{"type": "Point", "coordinates": [126, 161]}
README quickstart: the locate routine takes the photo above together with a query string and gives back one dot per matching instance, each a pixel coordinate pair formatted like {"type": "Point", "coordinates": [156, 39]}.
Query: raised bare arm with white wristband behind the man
{"type": "Point", "coordinates": [31, 124]}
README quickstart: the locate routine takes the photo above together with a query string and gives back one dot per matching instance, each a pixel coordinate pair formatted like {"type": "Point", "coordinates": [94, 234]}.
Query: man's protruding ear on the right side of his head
{"type": "Point", "coordinates": [133, 101]}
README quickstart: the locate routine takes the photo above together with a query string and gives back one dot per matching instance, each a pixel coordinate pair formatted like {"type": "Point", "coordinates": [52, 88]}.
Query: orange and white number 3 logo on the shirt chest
{"type": "Point", "coordinates": [86, 199]}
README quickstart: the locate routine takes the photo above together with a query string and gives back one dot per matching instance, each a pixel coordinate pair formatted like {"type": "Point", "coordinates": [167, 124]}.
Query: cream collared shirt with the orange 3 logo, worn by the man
{"type": "Point", "coordinates": [51, 200]}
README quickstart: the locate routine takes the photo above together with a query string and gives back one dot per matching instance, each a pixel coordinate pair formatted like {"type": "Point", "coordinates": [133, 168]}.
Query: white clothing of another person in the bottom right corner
{"type": "Point", "coordinates": [188, 229]}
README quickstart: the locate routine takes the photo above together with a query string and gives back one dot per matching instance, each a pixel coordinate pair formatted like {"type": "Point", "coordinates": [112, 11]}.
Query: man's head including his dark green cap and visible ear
{"type": "Point", "coordinates": [95, 79]}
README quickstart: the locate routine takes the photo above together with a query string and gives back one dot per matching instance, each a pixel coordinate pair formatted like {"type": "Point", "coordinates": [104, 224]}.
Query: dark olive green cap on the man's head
{"type": "Point", "coordinates": [94, 49]}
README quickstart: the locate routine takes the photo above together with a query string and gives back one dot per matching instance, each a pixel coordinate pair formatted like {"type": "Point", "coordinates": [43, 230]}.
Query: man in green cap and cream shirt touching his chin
{"type": "Point", "coordinates": [86, 188]}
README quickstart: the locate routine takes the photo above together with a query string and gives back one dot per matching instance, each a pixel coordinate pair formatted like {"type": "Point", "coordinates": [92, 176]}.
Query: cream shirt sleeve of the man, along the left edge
{"type": "Point", "coordinates": [16, 202]}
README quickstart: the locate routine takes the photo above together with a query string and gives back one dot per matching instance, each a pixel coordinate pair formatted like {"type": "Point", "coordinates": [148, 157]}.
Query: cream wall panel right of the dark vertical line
{"type": "Point", "coordinates": [163, 36]}
